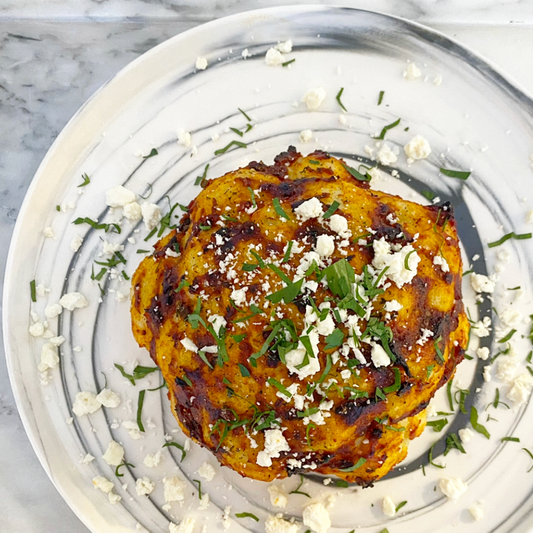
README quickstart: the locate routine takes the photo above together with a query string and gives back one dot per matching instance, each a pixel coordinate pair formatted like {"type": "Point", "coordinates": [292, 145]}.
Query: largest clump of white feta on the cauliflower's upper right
{"type": "Point", "coordinates": [396, 261]}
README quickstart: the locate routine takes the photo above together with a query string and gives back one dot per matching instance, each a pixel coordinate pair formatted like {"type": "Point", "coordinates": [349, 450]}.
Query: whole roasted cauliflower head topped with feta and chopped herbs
{"type": "Point", "coordinates": [302, 320]}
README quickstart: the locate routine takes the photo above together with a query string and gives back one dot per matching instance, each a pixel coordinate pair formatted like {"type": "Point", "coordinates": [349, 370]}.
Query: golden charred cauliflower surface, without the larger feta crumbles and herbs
{"type": "Point", "coordinates": [215, 240]}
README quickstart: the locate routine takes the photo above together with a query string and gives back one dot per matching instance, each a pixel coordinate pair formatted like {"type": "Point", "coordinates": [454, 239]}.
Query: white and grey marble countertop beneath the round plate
{"type": "Point", "coordinates": [56, 54]}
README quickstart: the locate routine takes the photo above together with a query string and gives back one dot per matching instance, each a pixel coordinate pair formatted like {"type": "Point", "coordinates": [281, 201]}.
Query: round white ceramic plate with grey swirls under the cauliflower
{"type": "Point", "coordinates": [474, 119]}
